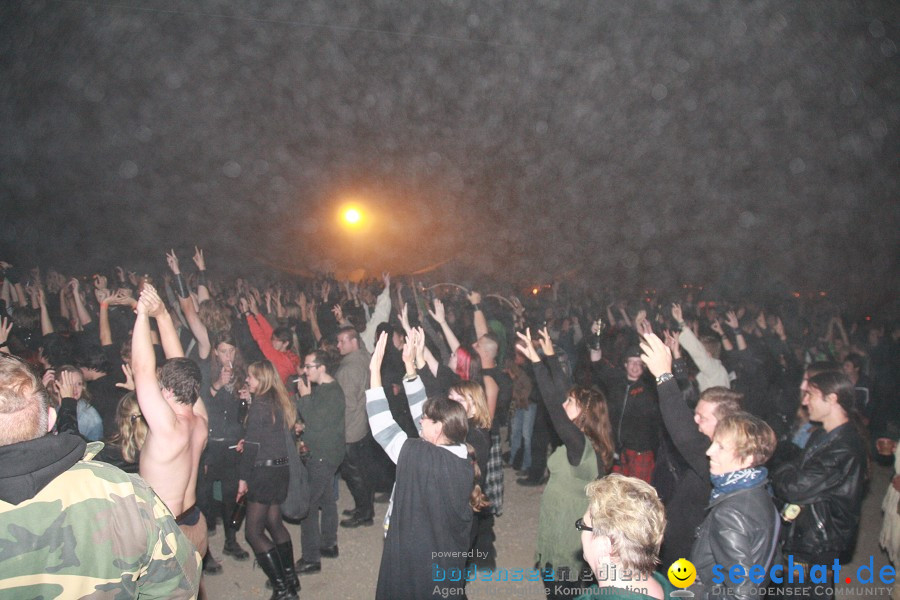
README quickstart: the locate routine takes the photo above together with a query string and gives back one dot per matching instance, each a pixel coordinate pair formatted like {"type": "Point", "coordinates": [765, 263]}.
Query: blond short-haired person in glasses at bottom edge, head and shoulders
{"type": "Point", "coordinates": [621, 533]}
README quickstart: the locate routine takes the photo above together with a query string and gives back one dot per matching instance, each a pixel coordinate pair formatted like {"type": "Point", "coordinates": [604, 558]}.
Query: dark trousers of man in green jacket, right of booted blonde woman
{"type": "Point", "coordinates": [316, 533]}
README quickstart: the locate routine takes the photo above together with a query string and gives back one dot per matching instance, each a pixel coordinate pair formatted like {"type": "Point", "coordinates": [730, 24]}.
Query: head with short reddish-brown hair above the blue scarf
{"type": "Point", "coordinates": [739, 441]}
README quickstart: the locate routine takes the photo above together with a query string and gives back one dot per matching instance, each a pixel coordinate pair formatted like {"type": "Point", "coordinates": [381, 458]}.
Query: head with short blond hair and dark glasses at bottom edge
{"type": "Point", "coordinates": [626, 520]}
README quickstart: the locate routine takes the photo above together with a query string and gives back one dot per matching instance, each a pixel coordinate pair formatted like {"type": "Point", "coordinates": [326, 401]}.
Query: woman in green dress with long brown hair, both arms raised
{"type": "Point", "coordinates": [581, 419]}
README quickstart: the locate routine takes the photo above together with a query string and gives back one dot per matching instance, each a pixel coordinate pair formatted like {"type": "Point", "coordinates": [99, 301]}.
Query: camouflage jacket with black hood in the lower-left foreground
{"type": "Point", "coordinates": [71, 527]}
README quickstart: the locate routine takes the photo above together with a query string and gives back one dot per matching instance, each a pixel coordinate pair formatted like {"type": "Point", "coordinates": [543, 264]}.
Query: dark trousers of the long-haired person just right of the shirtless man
{"type": "Point", "coordinates": [218, 464]}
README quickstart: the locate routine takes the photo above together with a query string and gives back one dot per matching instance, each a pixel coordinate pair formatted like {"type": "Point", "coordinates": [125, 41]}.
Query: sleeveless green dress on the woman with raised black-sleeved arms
{"type": "Point", "coordinates": [564, 502]}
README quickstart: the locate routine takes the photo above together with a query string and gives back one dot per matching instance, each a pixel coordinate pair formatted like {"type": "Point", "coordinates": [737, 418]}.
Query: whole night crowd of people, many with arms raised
{"type": "Point", "coordinates": [684, 424]}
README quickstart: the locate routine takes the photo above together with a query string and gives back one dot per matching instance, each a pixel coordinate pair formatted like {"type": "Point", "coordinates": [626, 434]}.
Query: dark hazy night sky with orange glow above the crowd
{"type": "Point", "coordinates": [647, 143]}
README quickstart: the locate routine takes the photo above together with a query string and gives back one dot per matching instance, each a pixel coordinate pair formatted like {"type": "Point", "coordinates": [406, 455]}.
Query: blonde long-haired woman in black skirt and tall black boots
{"type": "Point", "coordinates": [264, 476]}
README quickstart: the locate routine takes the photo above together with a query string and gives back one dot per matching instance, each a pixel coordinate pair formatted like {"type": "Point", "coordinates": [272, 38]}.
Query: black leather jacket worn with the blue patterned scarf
{"type": "Point", "coordinates": [740, 528]}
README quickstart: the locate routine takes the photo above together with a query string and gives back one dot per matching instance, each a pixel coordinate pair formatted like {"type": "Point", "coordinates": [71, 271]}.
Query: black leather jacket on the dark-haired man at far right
{"type": "Point", "coordinates": [827, 482]}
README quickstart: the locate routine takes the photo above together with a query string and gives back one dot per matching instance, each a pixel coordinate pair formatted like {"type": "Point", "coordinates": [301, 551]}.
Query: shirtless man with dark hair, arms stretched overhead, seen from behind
{"type": "Point", "coordinates": [177, 420]}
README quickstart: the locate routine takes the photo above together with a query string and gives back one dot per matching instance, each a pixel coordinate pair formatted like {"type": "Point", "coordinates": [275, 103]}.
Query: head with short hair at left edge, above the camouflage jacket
{"type": "Point", "coordinates": [26, 411]}
